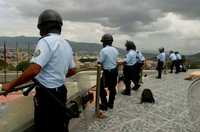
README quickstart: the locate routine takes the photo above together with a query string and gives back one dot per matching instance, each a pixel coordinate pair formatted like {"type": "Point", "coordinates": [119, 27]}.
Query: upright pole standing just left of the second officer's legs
{"type": "Point", "coordinates": [97, 89]}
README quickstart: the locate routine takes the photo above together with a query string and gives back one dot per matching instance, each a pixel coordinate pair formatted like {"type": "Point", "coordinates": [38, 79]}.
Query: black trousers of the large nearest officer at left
{"type": "Point", "coordinates": [49, 116]}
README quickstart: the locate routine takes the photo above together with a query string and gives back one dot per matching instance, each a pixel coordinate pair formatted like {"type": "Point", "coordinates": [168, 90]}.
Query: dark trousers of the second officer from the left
{"type": "Point", "coordinates": [108, 79]}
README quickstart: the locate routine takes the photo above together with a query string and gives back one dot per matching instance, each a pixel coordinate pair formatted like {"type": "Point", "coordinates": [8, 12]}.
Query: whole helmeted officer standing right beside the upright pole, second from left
{"type": "Point", "coordinates": [108, 59]}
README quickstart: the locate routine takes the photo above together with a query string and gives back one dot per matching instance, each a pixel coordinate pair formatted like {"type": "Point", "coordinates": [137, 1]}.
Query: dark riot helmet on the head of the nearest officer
{"type": "Point", "coordinates": [48, 21]}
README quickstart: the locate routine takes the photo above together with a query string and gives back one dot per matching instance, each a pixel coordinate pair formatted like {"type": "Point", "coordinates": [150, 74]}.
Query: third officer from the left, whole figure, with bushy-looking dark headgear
{"type": "Point", "coordinates": [130, 70]}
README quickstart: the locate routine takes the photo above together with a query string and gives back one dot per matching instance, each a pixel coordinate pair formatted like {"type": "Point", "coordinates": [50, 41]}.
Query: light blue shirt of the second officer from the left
{"type": "Point", "coordinates": [108, 57]}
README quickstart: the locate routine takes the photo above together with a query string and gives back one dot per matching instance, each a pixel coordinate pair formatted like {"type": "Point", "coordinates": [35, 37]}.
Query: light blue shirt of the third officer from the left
{"type": "Point", "coordinates": [131, 57]}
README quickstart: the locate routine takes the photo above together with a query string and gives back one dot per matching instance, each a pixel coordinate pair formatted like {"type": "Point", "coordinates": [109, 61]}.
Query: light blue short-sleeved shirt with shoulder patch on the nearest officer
{"type": "Point", "coordinates": [55, 56]}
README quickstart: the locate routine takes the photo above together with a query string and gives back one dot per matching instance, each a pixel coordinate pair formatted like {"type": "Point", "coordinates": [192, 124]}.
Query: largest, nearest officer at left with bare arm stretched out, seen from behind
{"type": "Point", "coordinates": [51, 63]}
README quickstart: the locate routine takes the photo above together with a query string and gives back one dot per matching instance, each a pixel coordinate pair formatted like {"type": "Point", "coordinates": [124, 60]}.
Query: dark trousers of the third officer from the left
{"type": "Point", "coordinates": [131, 73]}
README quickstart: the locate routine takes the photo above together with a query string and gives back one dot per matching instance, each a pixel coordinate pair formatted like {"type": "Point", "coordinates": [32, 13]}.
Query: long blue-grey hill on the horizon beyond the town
{"type": "Point", "coordinates": [81, 48]}
